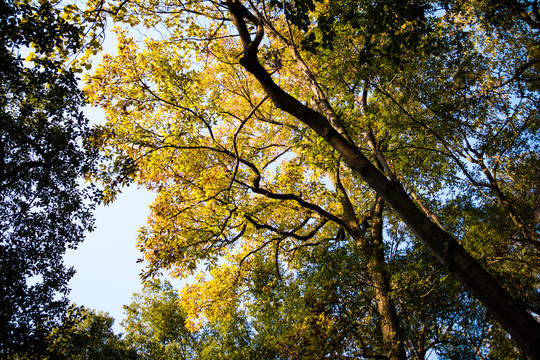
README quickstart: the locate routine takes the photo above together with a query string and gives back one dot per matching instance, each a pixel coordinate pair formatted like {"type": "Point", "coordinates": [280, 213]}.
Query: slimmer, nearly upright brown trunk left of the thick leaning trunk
{"type": "Point", "coordinates": [392, 335]}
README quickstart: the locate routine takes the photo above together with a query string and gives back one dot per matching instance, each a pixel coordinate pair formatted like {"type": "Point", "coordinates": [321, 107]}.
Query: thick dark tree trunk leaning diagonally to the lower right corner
{"type": "Point", "coordinates": [511, 313]}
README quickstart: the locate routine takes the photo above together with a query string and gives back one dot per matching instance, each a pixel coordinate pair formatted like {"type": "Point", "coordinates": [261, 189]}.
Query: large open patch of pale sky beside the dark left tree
{"type": "Point", "coordinates": [106, 261]}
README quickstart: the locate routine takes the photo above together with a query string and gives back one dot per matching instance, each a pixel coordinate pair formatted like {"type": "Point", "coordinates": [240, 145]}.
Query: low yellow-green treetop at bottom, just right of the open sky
{"type": "Point", "coordinates": [156, 326]}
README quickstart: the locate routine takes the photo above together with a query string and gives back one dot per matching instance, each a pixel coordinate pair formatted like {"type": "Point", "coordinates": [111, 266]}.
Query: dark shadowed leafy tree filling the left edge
{"type": "Point", "coordinates": [44, 208]}
